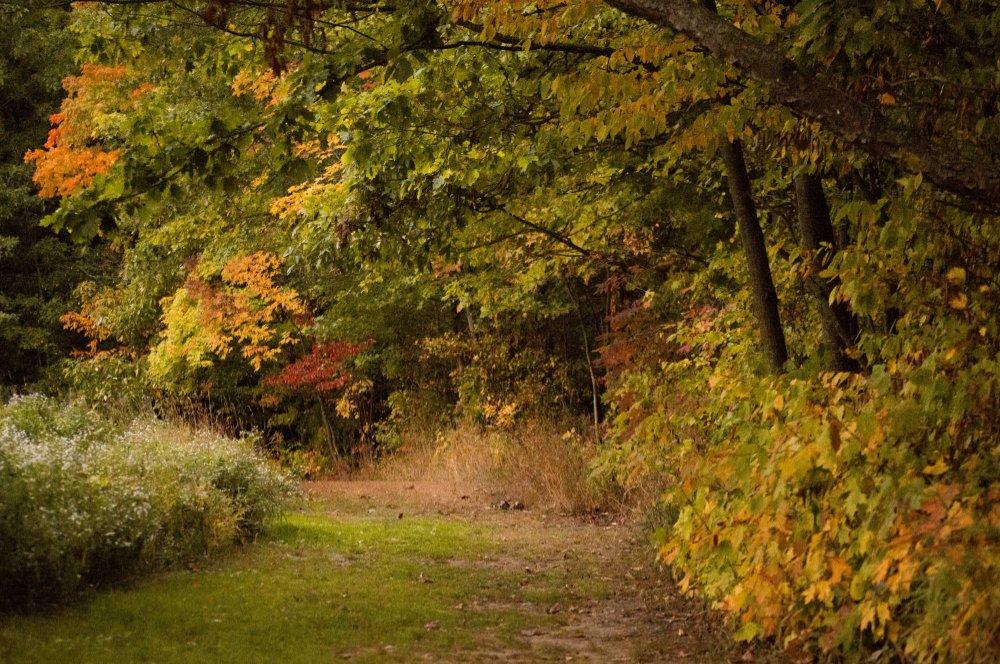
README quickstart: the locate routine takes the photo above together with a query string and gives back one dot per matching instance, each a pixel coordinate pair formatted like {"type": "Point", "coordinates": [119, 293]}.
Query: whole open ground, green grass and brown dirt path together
{"type": "Point", "coordinates": [393, 571]}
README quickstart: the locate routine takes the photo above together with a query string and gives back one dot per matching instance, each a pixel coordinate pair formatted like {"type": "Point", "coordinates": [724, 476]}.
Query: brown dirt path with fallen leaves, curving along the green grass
{"type": "Point", "coordinates": [641, 618]}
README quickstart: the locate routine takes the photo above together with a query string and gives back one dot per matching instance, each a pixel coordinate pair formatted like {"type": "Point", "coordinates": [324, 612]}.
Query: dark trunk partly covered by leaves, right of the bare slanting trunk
{"type": "Point", "coordinates": [840, 327]}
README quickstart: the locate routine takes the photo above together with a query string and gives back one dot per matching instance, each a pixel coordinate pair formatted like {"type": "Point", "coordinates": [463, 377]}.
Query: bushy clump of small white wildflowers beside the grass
{"type": "Point", "coordinates": [83, 500]}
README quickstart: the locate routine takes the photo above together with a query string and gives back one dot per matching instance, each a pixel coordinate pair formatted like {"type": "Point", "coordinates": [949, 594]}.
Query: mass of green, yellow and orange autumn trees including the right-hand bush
{"type": "Point", "coordinates": [754, 243]}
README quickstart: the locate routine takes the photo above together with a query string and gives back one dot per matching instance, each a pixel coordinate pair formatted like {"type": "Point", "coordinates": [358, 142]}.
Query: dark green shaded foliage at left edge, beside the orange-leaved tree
{"type": "Point", "coordinates": [38, 269]}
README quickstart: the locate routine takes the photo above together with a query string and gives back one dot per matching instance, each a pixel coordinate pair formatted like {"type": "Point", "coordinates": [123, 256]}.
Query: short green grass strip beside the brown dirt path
{"type": "Point", "coordinates": [320, 587]}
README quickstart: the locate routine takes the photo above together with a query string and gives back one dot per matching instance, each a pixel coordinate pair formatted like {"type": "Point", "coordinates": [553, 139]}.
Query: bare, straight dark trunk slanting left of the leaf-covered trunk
{"type": "Point", "coordinates": [765, 298]}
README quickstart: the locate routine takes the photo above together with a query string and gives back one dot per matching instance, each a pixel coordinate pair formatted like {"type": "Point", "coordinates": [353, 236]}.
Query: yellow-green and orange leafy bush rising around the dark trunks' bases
{"type": "Point", "coordinates": [844, 515]}
